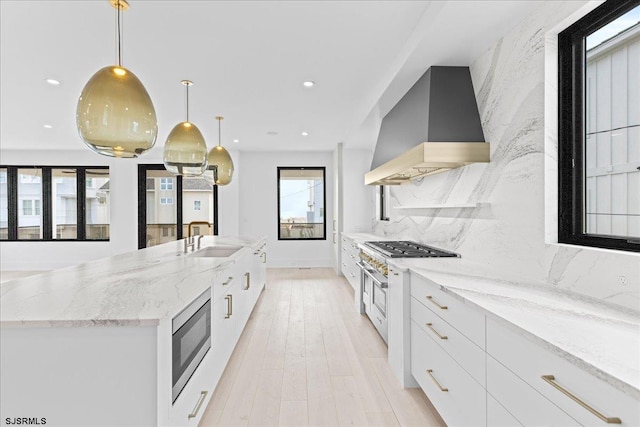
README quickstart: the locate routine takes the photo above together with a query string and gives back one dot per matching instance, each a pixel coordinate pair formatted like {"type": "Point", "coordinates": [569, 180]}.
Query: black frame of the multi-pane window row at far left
{"type": "Point", "coordinates": [47, 203]}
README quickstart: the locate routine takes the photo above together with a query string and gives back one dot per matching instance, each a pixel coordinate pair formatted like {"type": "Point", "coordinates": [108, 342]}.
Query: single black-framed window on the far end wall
{"type": "Point", "coordinates": [301, 203]}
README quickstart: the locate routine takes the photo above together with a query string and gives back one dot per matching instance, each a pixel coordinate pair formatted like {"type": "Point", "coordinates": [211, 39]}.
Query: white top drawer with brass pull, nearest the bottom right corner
{"type": "Point", "coordinates": [531, 362]}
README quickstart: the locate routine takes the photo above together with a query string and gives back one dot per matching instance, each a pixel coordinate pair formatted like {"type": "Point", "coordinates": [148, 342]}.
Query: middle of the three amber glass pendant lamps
{"type": "Point", "coordinates": [185, 152]}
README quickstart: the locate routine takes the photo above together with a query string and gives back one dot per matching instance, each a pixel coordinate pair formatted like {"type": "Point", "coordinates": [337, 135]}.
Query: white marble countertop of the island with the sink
{"type": "Point", "coordinates": [130, 289]}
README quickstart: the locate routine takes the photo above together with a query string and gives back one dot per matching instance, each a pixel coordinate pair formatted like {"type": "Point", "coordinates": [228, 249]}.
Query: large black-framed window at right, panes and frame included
{"type": "Point", "coordinates": [599, 128]}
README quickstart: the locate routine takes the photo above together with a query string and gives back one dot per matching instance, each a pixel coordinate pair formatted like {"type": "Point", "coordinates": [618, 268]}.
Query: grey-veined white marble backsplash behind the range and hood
{"type": "Point", "coordinates": [507, 237]}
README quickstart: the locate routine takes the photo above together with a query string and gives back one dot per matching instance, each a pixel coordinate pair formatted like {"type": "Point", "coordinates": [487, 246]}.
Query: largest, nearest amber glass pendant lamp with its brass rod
{"type": "Point", "coordinates": [115, 116]}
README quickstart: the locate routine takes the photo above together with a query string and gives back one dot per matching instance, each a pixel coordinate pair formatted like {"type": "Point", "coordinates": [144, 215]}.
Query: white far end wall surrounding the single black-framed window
{"type": "Point", "coordinates": [259, 207]}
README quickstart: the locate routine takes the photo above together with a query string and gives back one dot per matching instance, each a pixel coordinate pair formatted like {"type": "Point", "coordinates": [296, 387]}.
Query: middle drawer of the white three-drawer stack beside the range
{"type": "Point", "coordinates": [462, 350]}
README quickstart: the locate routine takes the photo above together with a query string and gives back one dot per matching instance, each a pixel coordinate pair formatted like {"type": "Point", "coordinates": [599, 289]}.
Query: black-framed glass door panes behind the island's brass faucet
{"type": "Point", "coordinates": [165, 205]}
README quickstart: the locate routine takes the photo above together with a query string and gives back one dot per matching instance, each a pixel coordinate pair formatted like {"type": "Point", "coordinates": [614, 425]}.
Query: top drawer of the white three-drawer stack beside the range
{"type": "Point", "coordinates": [465, 319]}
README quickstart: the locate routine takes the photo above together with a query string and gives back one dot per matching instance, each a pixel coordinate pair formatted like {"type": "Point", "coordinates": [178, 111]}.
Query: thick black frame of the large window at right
{"type": "Point", "coordinates": [571, 135]}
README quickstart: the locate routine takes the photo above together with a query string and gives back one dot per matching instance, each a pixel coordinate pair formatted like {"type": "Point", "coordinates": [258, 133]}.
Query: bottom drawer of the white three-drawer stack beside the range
{"type": "Point", "coordinates": [463, 402]}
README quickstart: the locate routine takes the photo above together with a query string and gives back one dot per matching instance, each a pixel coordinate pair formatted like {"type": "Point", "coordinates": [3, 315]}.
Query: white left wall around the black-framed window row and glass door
{"type": "Point", "coordinates": [124, 210]}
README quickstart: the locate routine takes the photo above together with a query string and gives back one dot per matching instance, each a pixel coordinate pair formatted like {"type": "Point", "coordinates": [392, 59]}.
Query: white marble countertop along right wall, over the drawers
{"type": "Point", "coordinates": [599, 337]}
